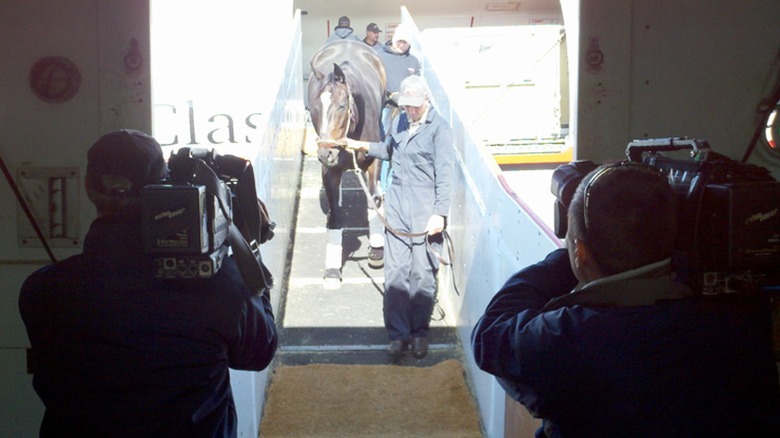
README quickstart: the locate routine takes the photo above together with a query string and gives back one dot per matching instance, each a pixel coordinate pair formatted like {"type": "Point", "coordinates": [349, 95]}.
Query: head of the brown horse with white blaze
{"type": "Point", "coordinates": [332, 107]}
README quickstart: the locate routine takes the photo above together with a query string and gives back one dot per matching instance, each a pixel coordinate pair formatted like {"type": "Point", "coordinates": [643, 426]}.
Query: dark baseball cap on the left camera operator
{"type": "Point", "coordinates": [127, 153]}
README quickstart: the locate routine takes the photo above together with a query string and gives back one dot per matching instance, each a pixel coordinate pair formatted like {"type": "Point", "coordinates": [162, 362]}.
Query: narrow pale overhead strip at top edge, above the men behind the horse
{"type": "Point", "coordinates": [336, 8]}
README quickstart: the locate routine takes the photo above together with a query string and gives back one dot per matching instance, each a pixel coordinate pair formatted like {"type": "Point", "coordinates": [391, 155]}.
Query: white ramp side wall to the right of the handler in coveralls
{"type": "Point", "coordinates": [494, 233]}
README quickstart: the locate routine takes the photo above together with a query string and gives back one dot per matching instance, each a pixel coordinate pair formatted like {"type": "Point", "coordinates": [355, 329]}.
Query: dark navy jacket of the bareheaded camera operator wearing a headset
{"type": "Point", "coordinates": [594, 363]}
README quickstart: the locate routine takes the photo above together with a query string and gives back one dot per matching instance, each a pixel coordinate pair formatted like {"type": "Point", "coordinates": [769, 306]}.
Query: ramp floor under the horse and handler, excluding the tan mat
{"type": "Point", "coordinates": [345, 325]}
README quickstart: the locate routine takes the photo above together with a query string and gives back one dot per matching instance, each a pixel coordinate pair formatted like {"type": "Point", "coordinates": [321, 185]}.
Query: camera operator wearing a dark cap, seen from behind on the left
{"type": "Point", "coordinates": [120, 353]}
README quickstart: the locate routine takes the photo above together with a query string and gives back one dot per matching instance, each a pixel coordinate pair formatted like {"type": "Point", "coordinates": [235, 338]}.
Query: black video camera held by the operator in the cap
{"type": "Point", "coordinates": [190, 219]}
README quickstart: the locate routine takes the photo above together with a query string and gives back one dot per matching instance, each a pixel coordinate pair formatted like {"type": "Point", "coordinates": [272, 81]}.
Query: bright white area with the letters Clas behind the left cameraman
{"type": "Point", "coordinates": [209, 74]}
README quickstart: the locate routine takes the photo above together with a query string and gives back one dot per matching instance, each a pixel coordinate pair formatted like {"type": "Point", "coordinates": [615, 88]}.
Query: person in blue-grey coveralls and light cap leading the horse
{"type": "Point", "coordinates": [422, 153]}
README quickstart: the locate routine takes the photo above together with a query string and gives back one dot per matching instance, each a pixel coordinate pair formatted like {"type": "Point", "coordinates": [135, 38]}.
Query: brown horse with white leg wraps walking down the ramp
{"type": "Point", "coordinates": [346, 92]}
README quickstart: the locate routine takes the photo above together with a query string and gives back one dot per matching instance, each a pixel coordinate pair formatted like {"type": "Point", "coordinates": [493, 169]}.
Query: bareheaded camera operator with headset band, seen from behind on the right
{"type": "Point", "coordinates": [599, 340]}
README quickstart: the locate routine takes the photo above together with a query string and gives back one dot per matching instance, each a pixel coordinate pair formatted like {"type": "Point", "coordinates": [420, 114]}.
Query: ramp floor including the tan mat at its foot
{"type": "Point", "coordinates": [332, 368]}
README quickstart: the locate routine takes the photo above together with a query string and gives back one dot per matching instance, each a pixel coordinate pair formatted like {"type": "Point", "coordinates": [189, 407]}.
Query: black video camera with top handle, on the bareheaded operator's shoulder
{"type": "Point", "coordinates": [728, 212]}
